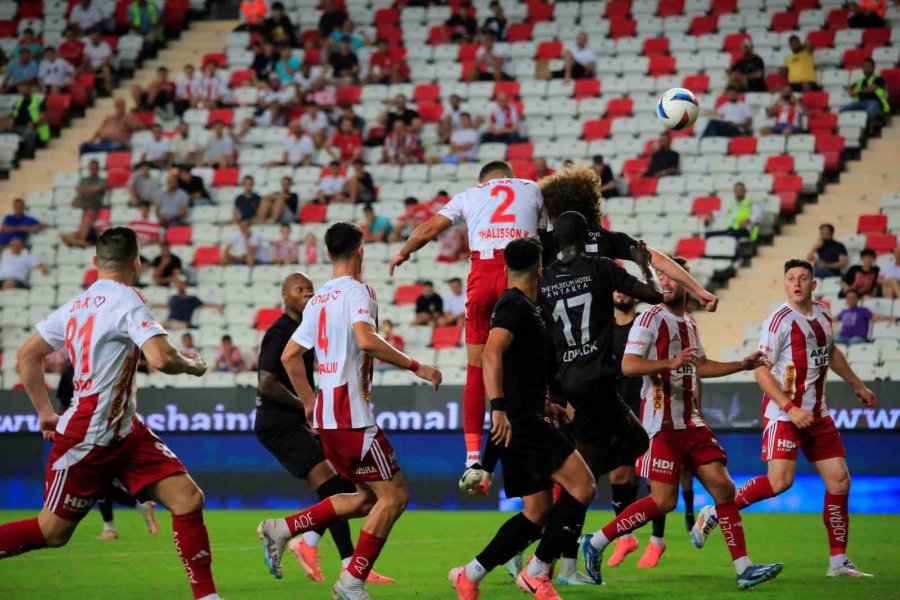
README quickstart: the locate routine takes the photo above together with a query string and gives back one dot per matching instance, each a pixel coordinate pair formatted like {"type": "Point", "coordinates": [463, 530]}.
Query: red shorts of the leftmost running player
{"type": "Point", "coordinates": [137, 461]}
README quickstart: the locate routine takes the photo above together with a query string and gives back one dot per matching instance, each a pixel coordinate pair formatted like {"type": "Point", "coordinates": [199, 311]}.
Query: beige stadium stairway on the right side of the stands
{"type": "Point", "coordinates": [748, 298]}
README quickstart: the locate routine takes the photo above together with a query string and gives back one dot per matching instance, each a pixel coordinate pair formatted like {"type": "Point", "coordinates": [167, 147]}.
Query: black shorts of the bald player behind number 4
{"type": "Point", "coordinates": [291, 441]}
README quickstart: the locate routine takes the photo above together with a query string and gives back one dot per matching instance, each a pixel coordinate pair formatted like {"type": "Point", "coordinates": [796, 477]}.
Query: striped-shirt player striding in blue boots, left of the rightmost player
{"type": "Point", "coordinates": [664, 346]}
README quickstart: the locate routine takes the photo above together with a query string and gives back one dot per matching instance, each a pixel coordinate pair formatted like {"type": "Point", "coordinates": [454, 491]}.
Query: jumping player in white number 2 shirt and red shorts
{"type": "Point", "coordinates": [497, 211]}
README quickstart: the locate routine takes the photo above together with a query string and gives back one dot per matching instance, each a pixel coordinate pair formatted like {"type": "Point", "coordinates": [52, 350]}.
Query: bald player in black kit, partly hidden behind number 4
{"type": "Point", "coordinates": [281, 427]}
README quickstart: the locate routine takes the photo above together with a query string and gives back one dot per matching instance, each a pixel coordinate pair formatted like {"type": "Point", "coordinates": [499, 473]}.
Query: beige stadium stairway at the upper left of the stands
{"type": "Point", "coordinates": [62, 153]}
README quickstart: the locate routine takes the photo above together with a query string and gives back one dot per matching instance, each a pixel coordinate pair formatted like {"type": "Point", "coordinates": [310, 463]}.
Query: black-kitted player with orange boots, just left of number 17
{"type": "Point", "coordinates": [534, 453]}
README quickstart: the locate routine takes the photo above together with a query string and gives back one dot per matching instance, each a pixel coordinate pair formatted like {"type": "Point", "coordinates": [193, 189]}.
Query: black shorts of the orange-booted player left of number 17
{"type": "Point", "coordinates": [536, 452]}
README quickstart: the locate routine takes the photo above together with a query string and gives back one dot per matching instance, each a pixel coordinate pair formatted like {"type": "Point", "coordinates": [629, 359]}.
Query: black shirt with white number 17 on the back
{"type": "Point", "coordinates": [576, 297]}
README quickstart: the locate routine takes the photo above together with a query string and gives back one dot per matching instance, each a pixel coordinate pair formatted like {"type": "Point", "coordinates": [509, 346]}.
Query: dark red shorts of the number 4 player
{"type": "Point", "coordinates": [360, 454]}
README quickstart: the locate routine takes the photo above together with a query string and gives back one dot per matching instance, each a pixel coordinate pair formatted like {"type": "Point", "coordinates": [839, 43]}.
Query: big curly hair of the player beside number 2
{"type": "Point", "coordinates": [574, 188]}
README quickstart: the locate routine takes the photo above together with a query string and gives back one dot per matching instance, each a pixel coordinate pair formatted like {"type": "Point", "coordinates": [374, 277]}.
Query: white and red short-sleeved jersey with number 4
{"type": "Point", "coordinates": [345, 371]}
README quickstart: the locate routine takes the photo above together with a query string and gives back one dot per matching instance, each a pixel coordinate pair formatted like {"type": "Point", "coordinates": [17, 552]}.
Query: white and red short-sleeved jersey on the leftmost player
{"type": "Point", "coordinates": [103, 329]}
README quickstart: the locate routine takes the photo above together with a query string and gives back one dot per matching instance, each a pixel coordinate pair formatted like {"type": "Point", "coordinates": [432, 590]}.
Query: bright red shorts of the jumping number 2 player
{"type": "Point", "coordinates": [487, 280]}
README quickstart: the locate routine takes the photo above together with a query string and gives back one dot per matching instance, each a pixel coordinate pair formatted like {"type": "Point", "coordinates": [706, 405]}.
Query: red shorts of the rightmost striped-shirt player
{"type": "Point", "coordinates": [819, 441]}
